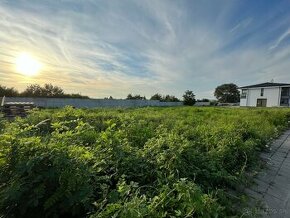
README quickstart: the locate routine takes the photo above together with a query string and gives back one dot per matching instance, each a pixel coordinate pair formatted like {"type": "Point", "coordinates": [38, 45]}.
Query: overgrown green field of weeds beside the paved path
{"type": "Point", "coordinates": [146, 162]}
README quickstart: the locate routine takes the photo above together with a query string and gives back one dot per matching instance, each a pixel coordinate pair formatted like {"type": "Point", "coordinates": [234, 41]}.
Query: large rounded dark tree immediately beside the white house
{"type": "Point", "coordinates": [227, 93]}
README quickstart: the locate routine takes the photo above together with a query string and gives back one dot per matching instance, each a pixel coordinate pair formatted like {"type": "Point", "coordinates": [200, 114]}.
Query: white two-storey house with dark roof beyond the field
{"type": "Point", "coordinates": [266, 95]}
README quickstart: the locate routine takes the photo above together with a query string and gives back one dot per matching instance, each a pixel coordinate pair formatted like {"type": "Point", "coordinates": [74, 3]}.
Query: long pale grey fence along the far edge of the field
{"type": "Point", "coordinates": [90, 103]}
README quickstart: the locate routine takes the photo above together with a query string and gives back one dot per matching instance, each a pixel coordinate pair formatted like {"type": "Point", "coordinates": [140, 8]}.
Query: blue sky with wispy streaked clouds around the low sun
{"type": "Point", "coordinates": [113, 48]}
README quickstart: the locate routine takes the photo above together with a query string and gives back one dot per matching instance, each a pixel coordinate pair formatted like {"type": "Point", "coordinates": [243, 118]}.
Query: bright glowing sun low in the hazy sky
{"type": "Point", "coordinates": [27, 65]}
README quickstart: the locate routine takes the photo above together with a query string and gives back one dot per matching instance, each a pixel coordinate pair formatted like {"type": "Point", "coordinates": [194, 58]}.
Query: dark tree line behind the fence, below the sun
{"type": "Point", "coordinates": [35, 90]}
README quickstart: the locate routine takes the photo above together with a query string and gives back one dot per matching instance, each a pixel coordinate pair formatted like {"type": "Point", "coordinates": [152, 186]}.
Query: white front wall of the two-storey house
{"type": "Point", "coordinates": [272, 94]}
